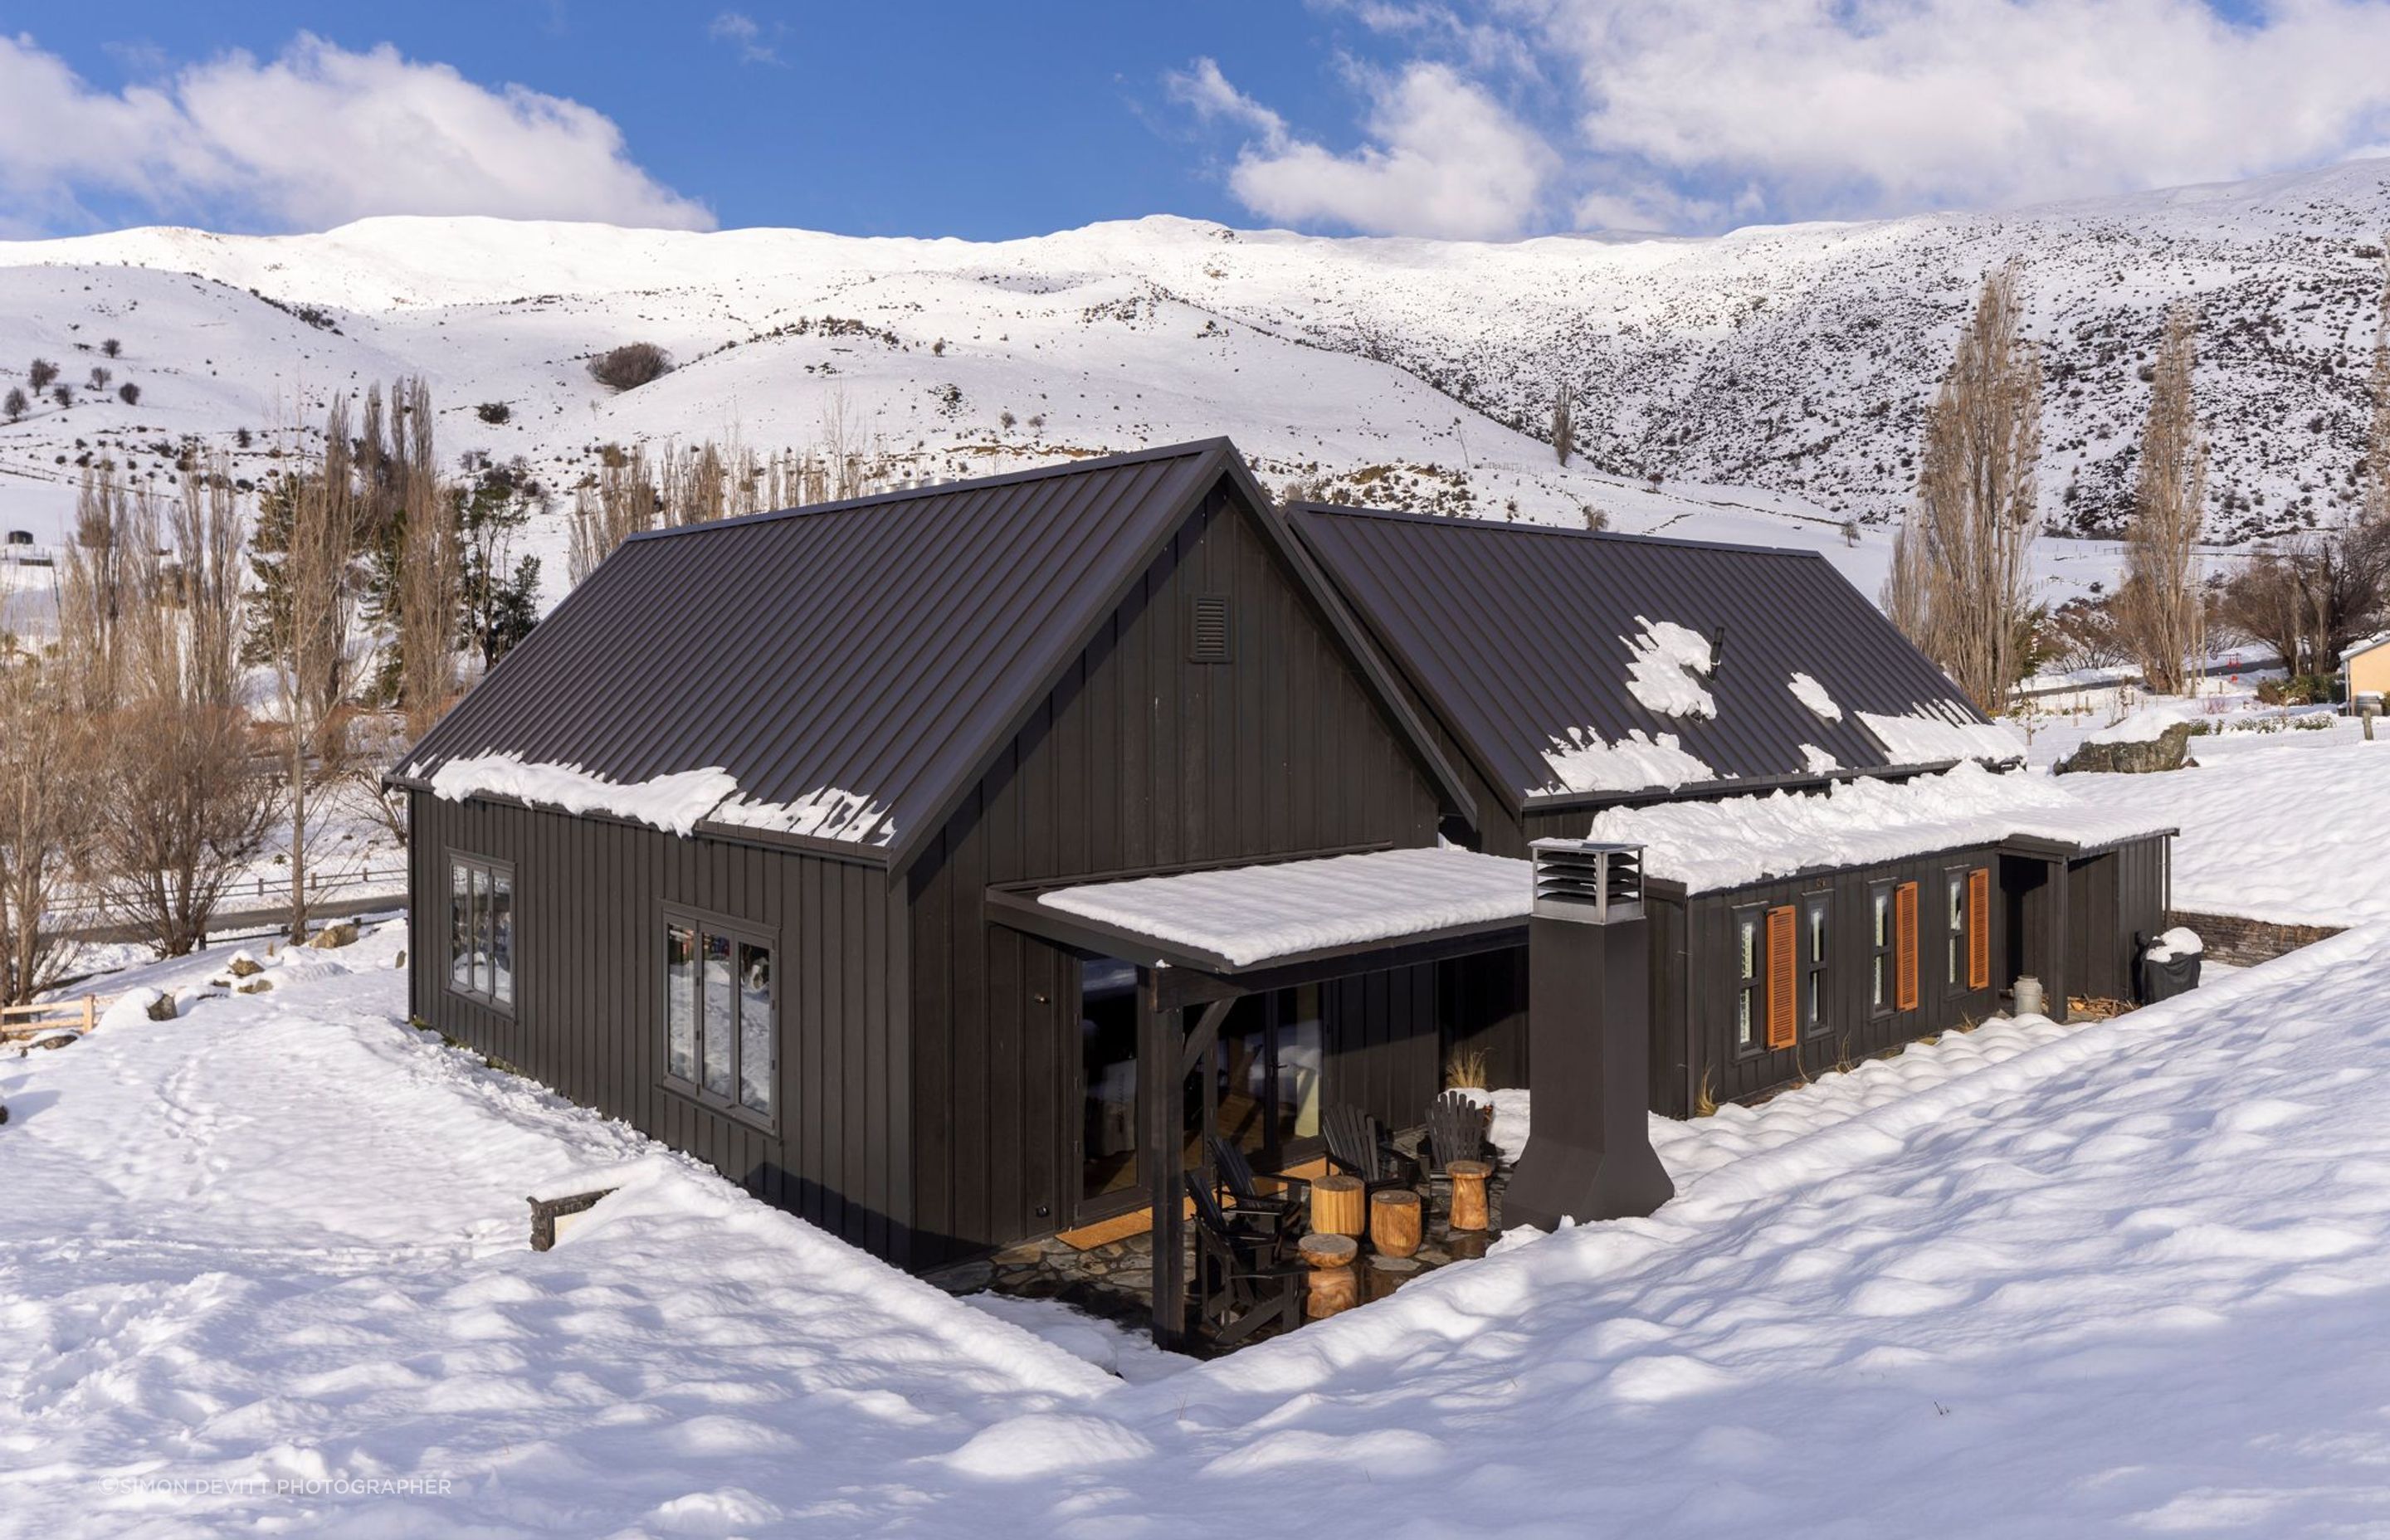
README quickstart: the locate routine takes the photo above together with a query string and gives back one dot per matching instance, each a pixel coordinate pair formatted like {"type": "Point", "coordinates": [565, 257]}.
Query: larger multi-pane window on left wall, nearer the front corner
{"type": "Point", "coordinates": [721, 1020]}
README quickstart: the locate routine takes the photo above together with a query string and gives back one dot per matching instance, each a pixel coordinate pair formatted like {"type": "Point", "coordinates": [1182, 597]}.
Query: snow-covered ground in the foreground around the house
{"type": "Point", "coordinates": [2035, 1281]}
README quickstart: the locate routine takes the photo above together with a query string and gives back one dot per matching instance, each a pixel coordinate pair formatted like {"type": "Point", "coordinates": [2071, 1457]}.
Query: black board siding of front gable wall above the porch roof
{"type": "Point", "coordinates": [1139, 762]}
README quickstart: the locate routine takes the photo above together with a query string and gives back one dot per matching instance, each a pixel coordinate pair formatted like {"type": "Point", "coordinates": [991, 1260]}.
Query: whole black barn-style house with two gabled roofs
{"type": "Point", "coordinates": [936, 862]}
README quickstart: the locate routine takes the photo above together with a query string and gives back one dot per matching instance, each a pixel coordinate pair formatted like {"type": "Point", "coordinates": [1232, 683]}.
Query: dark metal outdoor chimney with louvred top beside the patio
{"type": "Point", "coordinates": [1588, 1041]}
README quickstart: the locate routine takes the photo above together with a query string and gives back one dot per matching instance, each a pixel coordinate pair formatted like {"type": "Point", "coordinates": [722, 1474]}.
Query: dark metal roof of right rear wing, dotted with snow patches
{"type": "Point", "coordinates": [1519, 632]}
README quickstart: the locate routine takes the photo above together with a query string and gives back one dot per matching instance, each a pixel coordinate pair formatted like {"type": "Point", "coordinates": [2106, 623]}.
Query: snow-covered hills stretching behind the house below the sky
{"type": "Point", "coordinates": [1772, 377]}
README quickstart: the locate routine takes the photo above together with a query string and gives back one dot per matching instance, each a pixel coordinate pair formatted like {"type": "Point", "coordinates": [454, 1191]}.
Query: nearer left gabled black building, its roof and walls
{"type": "Point", "coordinates": [1113, 668]}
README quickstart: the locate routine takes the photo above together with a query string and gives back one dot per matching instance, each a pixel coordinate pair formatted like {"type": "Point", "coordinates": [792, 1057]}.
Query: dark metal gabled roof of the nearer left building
{"type": "Point", "coordinates": [854, 668]}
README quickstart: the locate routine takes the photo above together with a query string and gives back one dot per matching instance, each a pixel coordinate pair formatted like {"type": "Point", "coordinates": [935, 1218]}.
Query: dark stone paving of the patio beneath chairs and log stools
{"type": "Point", "coordinates": [1117, 1281]}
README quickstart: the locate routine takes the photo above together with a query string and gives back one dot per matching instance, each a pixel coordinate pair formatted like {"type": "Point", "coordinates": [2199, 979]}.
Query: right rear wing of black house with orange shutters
{"type": "Point", "coordinates": [1509, 635]}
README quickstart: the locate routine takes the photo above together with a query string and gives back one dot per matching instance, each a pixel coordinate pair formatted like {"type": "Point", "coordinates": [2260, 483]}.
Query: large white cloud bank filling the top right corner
{"type": "Point", "coordinates": [1904, 104]}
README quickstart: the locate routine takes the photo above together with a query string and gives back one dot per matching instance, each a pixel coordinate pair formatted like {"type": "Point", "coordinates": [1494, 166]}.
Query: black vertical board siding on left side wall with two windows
{"type": "Point", "coordinates": [589, 994]}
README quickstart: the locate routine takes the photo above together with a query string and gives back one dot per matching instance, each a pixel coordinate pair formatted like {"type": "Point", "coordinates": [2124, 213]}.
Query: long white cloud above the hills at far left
{"type": "Point", "coordinates": [312, 140]}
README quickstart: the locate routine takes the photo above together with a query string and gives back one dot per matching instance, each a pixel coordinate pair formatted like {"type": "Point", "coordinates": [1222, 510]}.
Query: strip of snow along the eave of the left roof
{"type": "Point", "coordinates": [675, 802]}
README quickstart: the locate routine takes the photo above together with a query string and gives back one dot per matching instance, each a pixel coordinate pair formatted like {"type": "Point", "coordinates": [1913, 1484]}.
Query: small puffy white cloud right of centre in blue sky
{"type": "Point", "coordinates": [1442, 159]}
